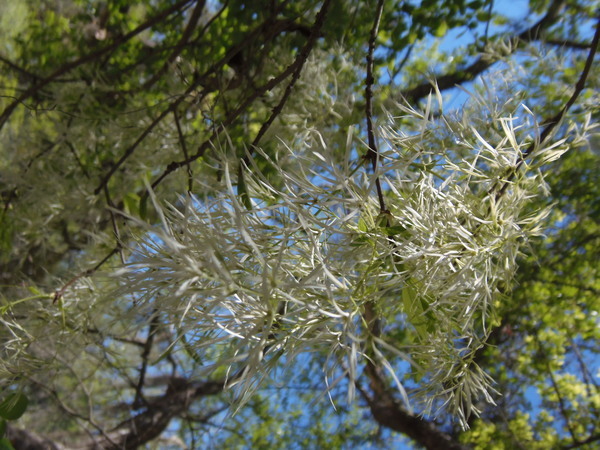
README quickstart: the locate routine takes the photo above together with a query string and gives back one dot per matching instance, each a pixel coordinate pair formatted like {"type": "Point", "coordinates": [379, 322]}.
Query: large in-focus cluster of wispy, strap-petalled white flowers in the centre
{"type": "Point", "coordinates": [253, 285]}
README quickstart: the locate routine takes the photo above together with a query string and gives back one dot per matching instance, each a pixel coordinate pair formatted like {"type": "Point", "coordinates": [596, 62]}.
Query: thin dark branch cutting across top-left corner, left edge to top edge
{"type": "Point", "coordinates": [88, 58]}
